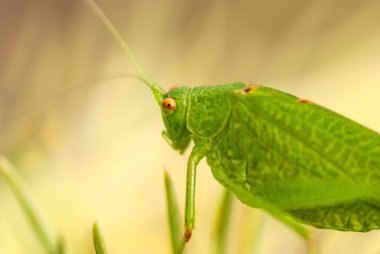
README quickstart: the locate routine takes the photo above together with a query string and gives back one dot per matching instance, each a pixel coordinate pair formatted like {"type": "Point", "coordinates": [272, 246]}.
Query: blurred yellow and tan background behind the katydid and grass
{"type": "Point", "coordinates": [87, 141]}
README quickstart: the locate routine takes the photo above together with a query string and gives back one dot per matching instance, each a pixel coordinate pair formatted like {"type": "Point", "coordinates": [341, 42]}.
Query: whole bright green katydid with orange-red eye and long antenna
{"type": "Point", "coordinates": [286, 155]}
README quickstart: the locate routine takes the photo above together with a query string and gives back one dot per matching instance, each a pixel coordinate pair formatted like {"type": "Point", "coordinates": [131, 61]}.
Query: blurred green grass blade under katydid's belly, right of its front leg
{"type": "Point", "coordinates": [222, 222]}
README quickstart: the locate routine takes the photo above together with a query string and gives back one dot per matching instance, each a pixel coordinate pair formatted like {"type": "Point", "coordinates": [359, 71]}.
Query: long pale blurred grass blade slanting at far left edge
{"type": "Point", "coordinates": [16, 185]}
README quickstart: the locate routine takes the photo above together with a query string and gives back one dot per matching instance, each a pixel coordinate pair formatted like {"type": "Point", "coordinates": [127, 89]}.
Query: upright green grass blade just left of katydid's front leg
{"type": "Point", "coordinates": [173, 217]}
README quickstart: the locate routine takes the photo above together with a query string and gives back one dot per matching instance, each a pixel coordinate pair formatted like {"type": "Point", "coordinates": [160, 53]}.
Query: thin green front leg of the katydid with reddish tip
{"type": "Point", "coordinates": [196, 155]}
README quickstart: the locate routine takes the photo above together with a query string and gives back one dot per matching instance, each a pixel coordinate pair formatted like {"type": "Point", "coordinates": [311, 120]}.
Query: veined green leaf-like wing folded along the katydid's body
{"type": "Point", "coordinates": [314, 164]}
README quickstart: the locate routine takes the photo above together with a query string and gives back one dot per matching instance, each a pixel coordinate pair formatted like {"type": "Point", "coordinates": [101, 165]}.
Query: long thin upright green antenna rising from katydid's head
{"type": "Point", "coordinates": [157, 91]}
